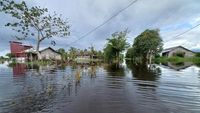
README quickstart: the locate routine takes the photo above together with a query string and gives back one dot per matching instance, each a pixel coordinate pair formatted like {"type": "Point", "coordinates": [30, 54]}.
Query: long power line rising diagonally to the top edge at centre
{"type": "Point", "coordinates": [105, 22]}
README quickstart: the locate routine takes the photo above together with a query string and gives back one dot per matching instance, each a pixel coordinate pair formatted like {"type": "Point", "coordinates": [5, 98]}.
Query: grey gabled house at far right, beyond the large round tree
{"type": "Point", "coordinates": [177, 51]}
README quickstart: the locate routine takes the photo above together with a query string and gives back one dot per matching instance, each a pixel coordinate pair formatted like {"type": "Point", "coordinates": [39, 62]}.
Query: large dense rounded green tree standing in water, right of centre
{"type": "Point", "coordinates": [147, 45]}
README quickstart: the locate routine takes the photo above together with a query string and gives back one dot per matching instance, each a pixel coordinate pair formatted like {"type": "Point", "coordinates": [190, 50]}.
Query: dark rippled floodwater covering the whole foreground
{"type": "Point", "coordinates": [101, 88]}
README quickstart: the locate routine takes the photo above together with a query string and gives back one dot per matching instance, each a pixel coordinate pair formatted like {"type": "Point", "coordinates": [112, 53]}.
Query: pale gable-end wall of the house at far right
{"type": "Point", "coordinates": [187, 53]}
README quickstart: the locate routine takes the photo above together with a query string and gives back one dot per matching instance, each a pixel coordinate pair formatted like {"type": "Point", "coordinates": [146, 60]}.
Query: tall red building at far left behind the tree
{"type": "Point", "coordinates": [18, 50]}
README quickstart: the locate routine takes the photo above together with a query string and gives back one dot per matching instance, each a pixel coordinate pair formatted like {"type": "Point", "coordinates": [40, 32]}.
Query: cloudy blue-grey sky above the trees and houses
{"type": "Point", "coordinates": [172, 17]}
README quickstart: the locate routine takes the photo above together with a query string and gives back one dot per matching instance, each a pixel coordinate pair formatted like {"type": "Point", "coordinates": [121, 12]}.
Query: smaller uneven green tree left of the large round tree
{"type": "Point", "coordinates": [116, 45]}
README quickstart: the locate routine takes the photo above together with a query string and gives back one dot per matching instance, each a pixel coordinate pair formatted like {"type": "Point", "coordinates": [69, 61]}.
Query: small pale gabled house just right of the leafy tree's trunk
{"type": "Point", "coordinates": [49, 53]}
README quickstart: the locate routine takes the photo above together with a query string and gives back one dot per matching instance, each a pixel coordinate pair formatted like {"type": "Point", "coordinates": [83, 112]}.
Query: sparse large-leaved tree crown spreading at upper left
{"type": "Point", "coordinates": [34, 21]}
